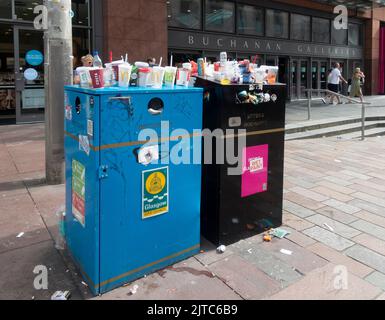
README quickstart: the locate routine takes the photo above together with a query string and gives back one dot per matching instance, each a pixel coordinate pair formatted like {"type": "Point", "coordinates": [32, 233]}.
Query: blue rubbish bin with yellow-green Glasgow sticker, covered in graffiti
{"type": "Point", "coordinates": [129, 209]}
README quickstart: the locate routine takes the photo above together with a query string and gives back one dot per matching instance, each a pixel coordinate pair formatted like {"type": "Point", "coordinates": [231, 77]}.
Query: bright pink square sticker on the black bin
{"type": "Point", "coordinates": [255, 169]}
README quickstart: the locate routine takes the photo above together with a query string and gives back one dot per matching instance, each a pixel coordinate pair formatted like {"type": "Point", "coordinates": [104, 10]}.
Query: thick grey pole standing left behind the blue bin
{"type": "Point", "coordinates": [58, 72]}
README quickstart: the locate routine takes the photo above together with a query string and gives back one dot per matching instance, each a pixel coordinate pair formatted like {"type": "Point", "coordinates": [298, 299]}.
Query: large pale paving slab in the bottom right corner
{"type": "Point", "coordinates": [323, 284]}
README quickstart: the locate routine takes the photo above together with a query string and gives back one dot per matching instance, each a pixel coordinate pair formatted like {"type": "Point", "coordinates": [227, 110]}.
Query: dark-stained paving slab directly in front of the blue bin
{"type": "Point", "coordinates": [187, 280]}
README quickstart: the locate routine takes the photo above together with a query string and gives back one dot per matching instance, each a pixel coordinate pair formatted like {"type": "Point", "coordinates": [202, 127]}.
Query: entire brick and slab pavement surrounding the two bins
{"type": "Point", "coordinates": [334, 207]}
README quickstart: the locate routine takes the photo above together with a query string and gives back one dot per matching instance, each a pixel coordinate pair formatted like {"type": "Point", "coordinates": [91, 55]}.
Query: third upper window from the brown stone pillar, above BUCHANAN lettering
{"type": "Point", "coordinates": [250, 20]}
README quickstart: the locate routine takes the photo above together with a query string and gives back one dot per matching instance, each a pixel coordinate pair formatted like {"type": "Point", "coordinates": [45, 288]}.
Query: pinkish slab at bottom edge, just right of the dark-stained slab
{"type": "Point", "coordinates": [245, 279]}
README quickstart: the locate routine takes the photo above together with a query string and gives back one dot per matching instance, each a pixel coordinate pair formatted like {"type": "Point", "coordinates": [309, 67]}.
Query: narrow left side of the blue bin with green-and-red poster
{"type": "Point", "coordinates": [82, 235]}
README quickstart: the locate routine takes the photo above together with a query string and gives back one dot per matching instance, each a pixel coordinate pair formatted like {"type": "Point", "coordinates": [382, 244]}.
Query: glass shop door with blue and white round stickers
{"type": "Point", "coordinates": [29, 75]}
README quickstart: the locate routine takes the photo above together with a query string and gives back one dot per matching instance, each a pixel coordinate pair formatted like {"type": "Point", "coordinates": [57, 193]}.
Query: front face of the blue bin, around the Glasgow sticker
{"type": "Point", "coordinates": [139, 246]}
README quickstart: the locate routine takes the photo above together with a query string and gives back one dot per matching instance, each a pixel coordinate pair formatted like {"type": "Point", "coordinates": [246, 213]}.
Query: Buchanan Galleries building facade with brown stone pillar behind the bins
{"type": "Point", "coordinates": [297, 35]}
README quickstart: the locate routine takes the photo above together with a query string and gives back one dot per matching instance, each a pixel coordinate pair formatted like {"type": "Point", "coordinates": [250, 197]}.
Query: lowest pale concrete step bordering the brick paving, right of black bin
{"type": "Point", "coordinates": [336, 130]}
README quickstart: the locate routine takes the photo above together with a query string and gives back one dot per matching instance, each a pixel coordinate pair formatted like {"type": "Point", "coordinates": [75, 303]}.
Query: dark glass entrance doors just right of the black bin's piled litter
{"type": "Point", "coordinates": [299, 78]}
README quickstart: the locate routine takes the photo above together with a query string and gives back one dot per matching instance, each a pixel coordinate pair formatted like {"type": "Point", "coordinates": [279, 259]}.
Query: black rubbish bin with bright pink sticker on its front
{"type": "Point", "coordinates": [239, 205]}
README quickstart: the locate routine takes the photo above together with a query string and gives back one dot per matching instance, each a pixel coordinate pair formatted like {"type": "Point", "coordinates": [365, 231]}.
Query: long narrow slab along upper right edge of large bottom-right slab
{"type": "Point", "coordinates": [338, 258]}
